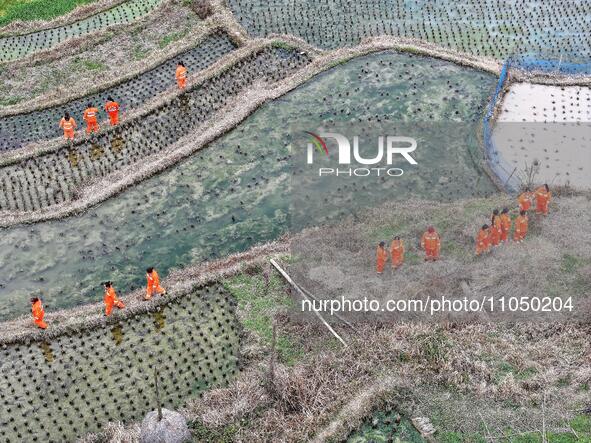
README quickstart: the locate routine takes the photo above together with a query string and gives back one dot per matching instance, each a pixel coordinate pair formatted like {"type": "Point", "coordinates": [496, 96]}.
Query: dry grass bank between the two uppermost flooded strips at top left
{"type": "Point", "coordinates": [123, 50]}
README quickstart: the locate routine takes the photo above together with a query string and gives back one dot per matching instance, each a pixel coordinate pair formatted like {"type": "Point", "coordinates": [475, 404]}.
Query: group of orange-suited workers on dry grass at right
{"type": "Point", "coordinates": [487, 237]}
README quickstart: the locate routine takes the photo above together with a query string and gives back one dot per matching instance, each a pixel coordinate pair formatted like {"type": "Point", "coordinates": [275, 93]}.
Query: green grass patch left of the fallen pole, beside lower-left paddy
{"type": "Point", "coordinates": [258, 303]}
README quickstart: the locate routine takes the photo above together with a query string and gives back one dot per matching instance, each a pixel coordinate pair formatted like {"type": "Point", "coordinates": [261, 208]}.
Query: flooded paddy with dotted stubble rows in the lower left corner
{"type": "Point", "coordinates": [58, 390]}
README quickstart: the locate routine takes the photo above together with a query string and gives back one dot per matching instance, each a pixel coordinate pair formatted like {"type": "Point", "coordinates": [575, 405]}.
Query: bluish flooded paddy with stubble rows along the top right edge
{"type": "Point", "coordinates": [495, 28]}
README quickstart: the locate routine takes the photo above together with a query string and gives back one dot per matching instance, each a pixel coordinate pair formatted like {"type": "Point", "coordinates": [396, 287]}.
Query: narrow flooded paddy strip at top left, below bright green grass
{"type": "Point", "coordinates": [14, 47]}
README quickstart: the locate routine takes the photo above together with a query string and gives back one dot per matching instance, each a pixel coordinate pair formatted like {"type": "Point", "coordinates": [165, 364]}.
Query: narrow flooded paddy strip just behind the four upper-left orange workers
{"type": "Point", "coordinates": [20, 129]}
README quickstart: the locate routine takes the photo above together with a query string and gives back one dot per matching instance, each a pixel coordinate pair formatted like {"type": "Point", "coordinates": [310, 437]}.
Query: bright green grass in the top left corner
{"type": "Point", "coordinates": [26, 10]}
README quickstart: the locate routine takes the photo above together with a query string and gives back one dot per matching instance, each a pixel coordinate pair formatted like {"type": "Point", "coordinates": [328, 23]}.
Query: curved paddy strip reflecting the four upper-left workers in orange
{"type": "Point", "coordinates": [53, 178]}
